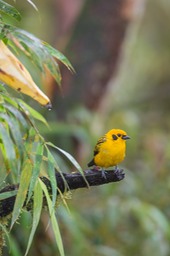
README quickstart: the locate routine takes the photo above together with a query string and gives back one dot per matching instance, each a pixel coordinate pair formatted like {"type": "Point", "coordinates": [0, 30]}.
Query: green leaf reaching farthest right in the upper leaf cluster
{"type": "Point", "coordinates": [58, 55]}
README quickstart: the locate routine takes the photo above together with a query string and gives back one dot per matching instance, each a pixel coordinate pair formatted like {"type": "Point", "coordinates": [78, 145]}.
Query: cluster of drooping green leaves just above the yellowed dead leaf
{"type": "Point", "coordinates": [41, 53]}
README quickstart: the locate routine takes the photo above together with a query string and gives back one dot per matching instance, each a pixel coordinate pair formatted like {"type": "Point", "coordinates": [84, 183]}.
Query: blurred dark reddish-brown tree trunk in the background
{"type": "Point", "coordinates": [94, 49]}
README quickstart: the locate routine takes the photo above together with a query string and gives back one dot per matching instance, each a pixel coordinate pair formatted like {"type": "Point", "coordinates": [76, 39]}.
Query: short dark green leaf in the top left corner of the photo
{"type": "Point", "coordinates": [9, 10]}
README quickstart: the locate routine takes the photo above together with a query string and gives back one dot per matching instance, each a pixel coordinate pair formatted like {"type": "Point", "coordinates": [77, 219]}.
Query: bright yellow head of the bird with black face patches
{"type": "Point", "coordinates": [117, 135]}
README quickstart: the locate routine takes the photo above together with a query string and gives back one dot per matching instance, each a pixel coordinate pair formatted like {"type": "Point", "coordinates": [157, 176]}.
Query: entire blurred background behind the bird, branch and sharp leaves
{"type": "Point", "coordinates": [121, 53]}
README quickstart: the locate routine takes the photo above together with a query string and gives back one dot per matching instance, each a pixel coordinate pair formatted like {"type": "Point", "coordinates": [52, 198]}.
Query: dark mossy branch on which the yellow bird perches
{"type": "Point", "coordinates": [65, 182]}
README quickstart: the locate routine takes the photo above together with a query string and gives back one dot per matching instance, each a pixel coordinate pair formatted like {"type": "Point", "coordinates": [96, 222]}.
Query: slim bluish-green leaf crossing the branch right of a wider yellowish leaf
{"type": "Point", "coordinates": [36, 169]}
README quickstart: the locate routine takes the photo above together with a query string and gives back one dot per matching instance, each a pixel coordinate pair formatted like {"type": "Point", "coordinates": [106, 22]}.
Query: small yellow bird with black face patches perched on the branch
{"type": "Point", "coordinates": [110, 149]}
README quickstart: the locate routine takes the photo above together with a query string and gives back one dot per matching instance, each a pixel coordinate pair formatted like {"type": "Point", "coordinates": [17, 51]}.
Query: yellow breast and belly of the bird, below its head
{"type": "Point", "coordinates": [110, 153]}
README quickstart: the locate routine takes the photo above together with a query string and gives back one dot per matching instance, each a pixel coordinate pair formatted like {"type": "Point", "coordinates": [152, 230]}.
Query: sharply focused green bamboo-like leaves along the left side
{"type": "Point", "coordinates": [25, 155]}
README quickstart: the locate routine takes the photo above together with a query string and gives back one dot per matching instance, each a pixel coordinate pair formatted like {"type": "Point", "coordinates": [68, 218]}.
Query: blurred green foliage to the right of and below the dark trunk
{"type": "Point", "coordinates": [132, 217]}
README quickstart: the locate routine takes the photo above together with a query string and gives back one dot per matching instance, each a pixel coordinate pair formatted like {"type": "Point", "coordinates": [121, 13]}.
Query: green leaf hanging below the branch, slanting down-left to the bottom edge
{"type": "Point", "coordinates": [37, 208]}
